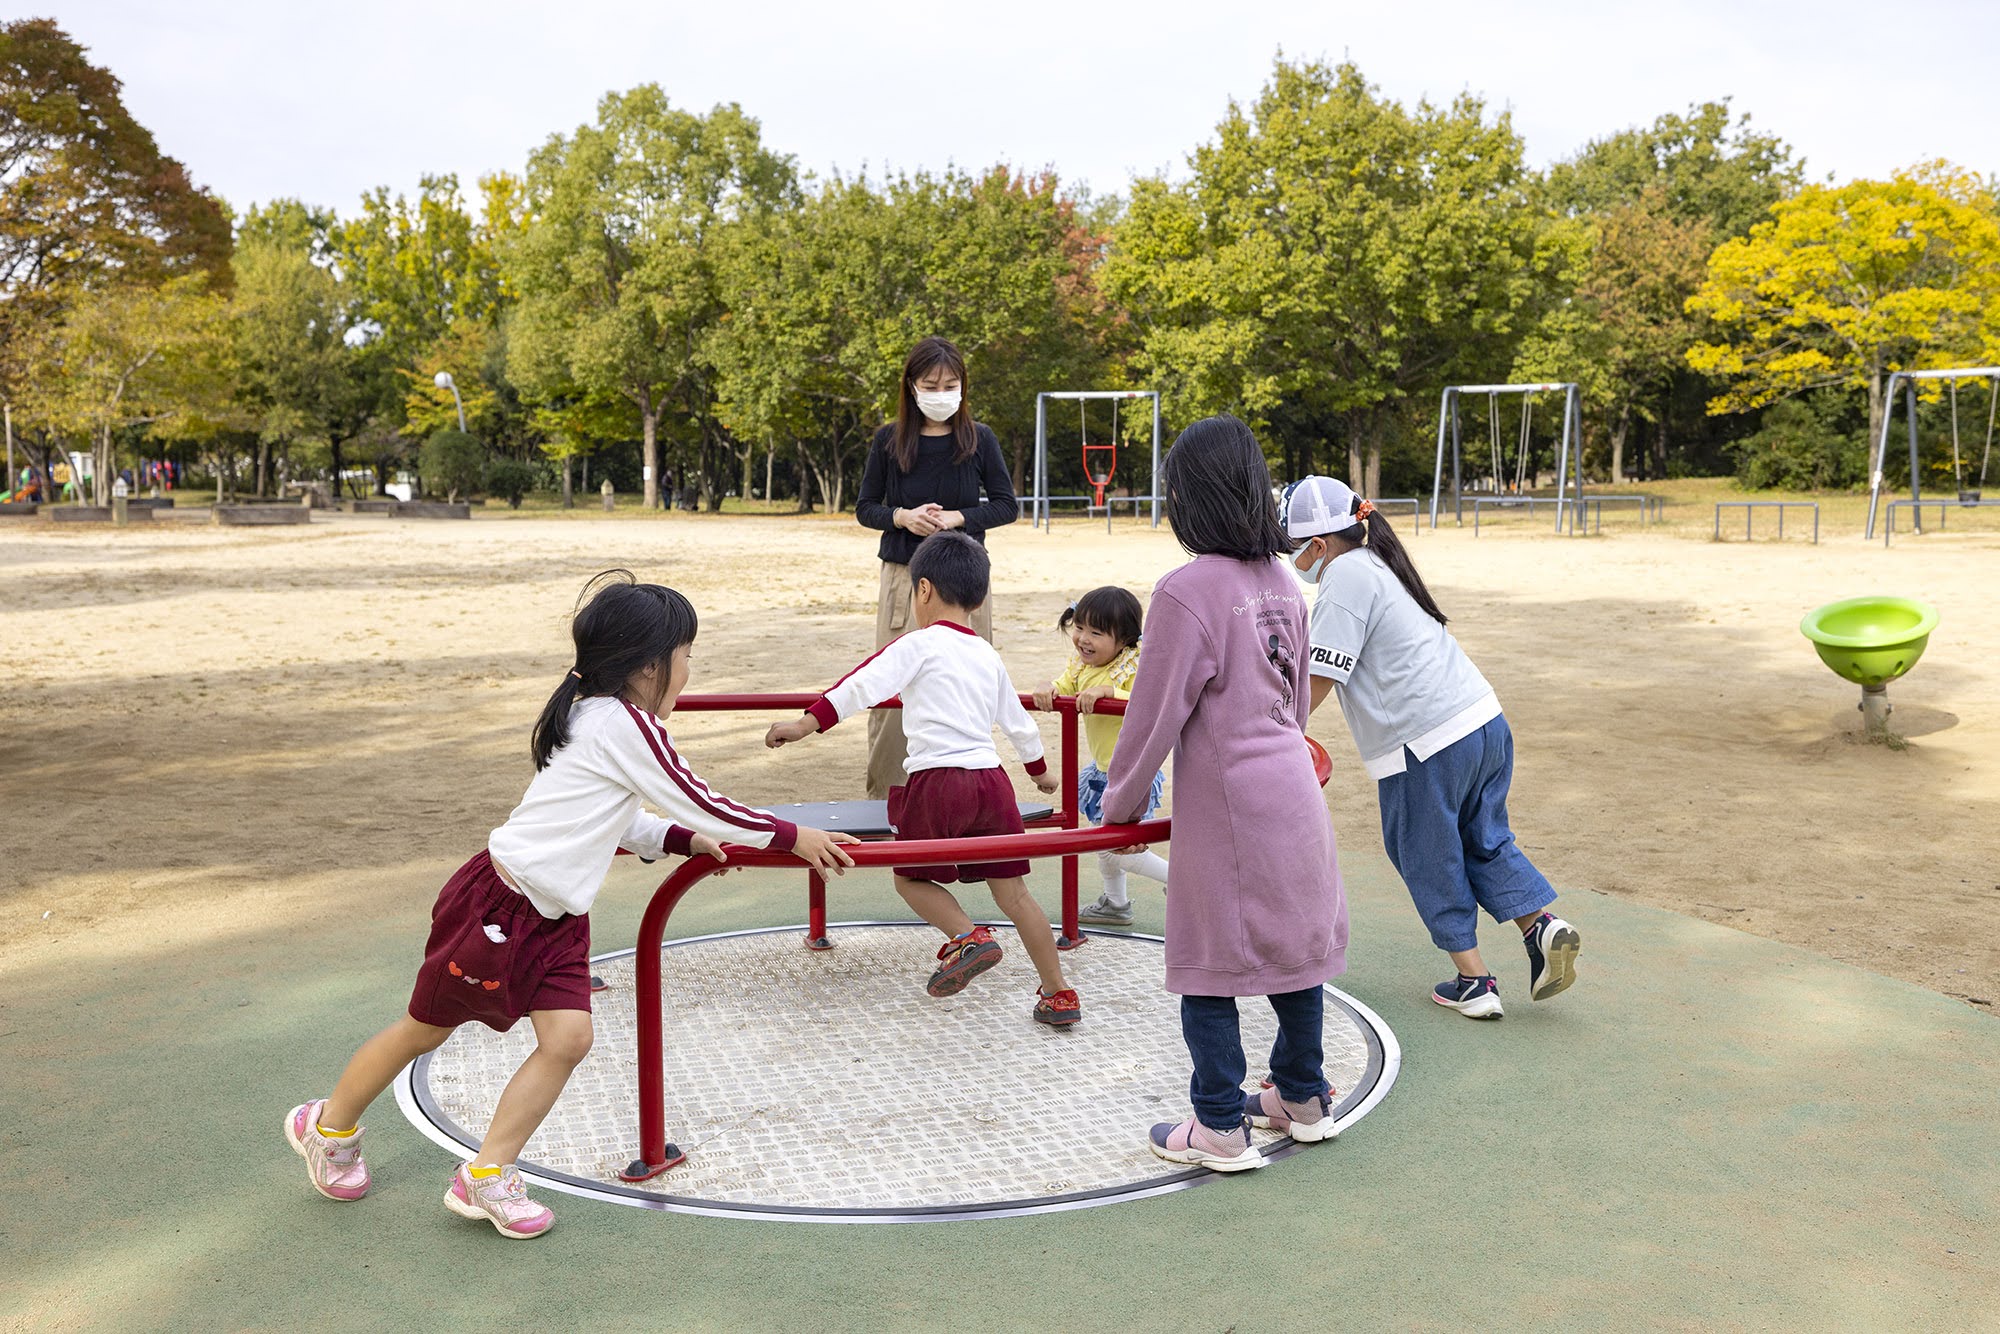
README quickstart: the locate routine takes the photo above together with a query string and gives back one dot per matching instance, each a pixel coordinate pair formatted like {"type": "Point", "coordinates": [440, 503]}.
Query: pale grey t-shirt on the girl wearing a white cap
{"type": "Point", "coordinates": [1401, 677]}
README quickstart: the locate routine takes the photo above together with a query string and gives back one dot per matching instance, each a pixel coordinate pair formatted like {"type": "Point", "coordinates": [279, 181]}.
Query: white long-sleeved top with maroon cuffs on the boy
{"type": "Point", "coordinates": [955, 691]}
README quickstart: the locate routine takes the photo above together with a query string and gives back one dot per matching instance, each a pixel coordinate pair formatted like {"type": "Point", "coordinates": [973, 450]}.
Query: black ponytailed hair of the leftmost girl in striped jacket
{"type": "Point", "coordinates": [621, 627]}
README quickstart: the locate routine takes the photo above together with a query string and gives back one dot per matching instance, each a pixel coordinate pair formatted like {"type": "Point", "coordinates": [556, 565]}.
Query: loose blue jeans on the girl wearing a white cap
{"type": "Point", "coordinates": [1445, 829]}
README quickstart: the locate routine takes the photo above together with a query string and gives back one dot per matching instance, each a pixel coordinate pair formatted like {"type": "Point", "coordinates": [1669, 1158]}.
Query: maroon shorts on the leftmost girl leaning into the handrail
{"type": "Point", "coordinates": [535, 965]}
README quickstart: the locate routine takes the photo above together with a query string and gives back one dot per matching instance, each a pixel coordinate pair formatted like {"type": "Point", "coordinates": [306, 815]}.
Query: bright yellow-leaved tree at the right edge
{"type": "Point", "coordinates": [1849, 283]}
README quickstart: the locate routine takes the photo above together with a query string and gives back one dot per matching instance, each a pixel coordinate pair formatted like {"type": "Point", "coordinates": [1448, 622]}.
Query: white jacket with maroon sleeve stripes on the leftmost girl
{"type": "Point", "coordinates": [561, 841]}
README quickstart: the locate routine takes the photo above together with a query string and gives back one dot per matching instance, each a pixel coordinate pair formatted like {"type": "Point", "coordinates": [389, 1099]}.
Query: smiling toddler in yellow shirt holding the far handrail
{"type": "Point", "coordinates": [1105, 629]}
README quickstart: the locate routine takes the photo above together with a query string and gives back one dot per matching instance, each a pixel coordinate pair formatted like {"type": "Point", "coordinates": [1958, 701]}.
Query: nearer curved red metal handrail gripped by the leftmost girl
{"type": "Point", "coordinates": [655, 1155]}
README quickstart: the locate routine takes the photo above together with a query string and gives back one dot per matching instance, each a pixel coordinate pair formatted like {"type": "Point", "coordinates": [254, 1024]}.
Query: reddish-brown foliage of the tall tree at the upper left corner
{"type": "Point", "coordinates": [89, 195]}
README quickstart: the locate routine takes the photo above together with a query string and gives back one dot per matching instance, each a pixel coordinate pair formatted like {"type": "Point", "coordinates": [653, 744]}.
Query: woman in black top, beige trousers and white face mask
{"type": "Point", "coordinates": [927, 473]}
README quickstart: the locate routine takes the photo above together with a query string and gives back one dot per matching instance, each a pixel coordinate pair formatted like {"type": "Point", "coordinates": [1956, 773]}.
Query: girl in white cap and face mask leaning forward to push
{"type": "Point", "coordinates": [1433, 737]}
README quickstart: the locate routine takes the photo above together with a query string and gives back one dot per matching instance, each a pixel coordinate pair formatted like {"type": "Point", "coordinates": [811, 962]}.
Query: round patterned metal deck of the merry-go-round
{"type": "Point", "coordinates": [829, 1087]}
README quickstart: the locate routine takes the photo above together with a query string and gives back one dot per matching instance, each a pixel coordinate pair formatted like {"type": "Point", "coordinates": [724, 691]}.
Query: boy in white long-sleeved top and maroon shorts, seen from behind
{"type": "Point", "coordinates": [955, 691]}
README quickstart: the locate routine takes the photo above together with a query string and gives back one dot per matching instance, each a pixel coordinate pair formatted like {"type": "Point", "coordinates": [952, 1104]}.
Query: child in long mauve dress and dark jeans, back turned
{"type": "Point", "coordinates": [1253, 895]}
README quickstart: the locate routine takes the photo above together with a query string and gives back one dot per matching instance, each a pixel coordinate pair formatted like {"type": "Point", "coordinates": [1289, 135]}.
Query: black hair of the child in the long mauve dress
{"type": "Point", "coordinates": [1219, 495]}
